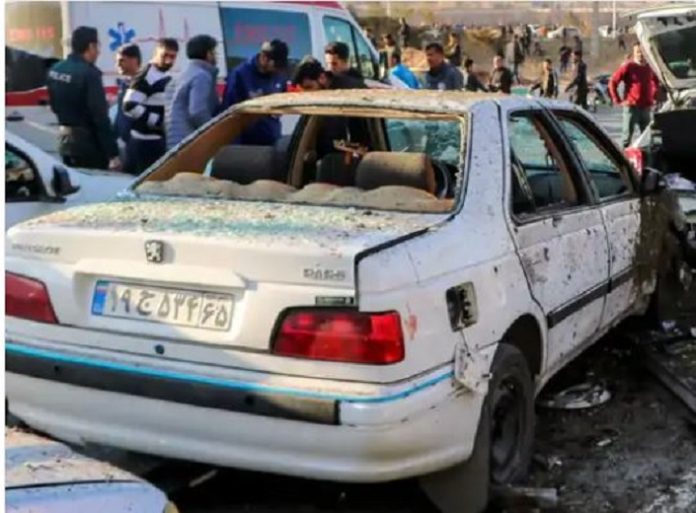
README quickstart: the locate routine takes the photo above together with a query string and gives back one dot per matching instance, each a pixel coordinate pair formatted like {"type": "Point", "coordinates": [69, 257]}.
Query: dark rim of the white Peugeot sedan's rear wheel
{"type": "Point", "coordinates": [506, 429]}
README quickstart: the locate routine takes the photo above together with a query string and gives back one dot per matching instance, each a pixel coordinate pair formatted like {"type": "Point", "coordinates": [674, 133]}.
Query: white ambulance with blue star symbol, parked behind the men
{"type": "Point", "coordinates": [43, 29]}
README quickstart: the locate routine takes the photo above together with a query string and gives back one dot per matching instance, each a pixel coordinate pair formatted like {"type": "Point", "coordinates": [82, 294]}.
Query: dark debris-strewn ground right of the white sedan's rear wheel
{"type": "Point", "coordinates": [626, 455]}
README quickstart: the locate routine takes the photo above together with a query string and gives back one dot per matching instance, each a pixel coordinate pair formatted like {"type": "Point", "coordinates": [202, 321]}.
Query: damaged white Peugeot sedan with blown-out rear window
{"type": "Point", "coordinates": [351, 304]}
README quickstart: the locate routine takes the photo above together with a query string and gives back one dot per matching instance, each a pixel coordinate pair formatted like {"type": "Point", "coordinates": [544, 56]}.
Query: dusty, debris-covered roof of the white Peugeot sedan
{"type": "Point", "coordinates": [424, 101]}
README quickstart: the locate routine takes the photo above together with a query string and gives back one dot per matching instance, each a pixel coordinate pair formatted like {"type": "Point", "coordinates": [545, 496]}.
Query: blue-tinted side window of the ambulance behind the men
{"type": "Point", "coordinates": [244, 30]}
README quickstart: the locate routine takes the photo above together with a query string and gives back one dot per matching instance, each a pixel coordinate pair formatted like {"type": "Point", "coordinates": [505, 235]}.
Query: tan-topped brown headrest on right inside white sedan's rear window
{"type": "Point", "coordinates": [380, 168]}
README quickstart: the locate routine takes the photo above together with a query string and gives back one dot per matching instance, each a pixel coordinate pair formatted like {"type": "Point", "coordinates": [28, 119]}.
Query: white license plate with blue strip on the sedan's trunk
{"type": "Point", "coordinates": [166, 306]}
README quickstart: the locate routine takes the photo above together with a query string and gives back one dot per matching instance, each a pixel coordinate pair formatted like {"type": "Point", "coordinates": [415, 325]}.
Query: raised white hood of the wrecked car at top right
{"type": "Point", "coordinates": [658, 22]}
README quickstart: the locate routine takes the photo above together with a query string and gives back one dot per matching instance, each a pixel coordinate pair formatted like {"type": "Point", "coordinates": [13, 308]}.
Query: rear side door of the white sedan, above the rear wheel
{"type": "Point", "coordinates": [559, 233]}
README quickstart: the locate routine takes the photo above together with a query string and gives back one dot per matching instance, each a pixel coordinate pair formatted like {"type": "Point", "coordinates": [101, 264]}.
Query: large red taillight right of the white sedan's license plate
{"type": "Point", "coordinates": [341, 336]}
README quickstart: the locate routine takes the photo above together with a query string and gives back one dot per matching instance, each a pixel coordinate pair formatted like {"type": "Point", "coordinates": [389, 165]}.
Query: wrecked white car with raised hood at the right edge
{"type": "Point", "coordinates": [668, 37]}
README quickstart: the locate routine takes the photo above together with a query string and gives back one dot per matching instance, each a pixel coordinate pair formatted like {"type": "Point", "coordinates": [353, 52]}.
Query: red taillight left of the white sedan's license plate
{"type": "Point", "coordinates": [28, 299]}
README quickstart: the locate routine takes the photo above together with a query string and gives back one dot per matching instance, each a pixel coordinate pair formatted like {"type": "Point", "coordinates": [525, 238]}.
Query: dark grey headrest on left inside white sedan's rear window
{"type": "Point", "coordinates": [246, 164]}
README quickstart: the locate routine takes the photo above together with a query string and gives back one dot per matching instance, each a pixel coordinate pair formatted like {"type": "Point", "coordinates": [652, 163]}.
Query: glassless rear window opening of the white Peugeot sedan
{"type": "Point", "coordinates": [396, 162]}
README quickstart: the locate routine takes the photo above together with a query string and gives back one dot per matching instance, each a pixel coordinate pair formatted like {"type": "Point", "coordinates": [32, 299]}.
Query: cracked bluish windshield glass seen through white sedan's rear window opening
{"type": "Point", "coordinates": [439, 139]}
